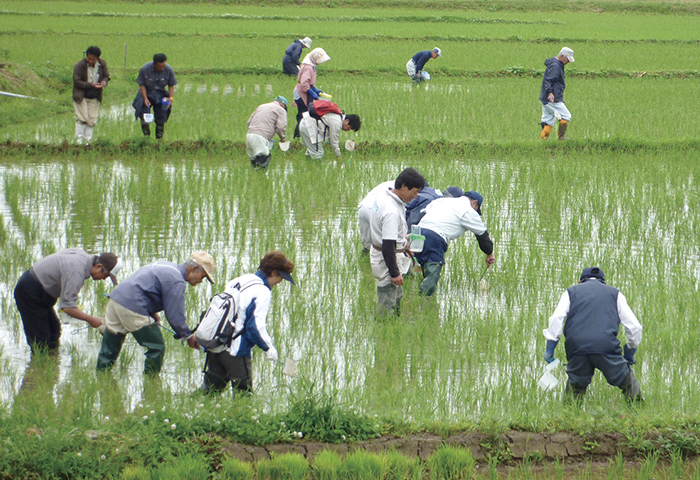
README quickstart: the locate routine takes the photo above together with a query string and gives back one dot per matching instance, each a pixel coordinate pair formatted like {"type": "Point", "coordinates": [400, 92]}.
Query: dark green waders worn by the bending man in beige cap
{"type": "Point", "coordinates": [149, 337]}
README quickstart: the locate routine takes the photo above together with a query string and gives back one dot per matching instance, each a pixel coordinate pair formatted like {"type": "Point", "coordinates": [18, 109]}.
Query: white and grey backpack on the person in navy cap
{"type": "Point", "coordinates": [217, 327]}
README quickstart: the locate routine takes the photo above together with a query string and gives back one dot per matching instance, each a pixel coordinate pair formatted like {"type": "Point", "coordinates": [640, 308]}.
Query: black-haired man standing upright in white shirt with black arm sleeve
{"type": "Point", "coordinates": [388, 255]}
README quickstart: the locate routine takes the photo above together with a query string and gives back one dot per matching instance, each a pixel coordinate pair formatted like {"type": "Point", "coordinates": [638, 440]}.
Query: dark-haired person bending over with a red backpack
{"type": "Point", "coordinates": [323, 123]}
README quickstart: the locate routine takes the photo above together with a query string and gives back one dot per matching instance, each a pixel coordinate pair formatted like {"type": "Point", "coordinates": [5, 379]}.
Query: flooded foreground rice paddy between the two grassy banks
{"type": "Point", "coordinates": [468, 353]}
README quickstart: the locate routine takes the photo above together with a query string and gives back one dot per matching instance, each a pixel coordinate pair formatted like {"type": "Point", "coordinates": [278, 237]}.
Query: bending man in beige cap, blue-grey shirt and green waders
{"type": "Point", "coordinates": [134, 305]}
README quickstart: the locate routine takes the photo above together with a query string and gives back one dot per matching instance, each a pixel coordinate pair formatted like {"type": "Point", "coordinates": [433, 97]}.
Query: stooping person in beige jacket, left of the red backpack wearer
{"type": "Point", "coordinates": [266, 120]}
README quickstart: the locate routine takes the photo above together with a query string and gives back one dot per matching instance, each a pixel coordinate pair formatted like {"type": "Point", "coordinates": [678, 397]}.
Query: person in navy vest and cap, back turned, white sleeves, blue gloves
{"type": "Point", "coordinates": [589, 314]}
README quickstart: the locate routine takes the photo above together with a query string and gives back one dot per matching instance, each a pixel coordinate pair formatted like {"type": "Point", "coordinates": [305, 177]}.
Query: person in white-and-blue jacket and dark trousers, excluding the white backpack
{"type": "Point", "coordinates": [252, 292]}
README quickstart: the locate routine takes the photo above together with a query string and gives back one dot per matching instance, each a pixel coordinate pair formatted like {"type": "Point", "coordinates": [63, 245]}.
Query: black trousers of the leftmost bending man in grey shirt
{"type": "Point", "coordinates": [36, 307]}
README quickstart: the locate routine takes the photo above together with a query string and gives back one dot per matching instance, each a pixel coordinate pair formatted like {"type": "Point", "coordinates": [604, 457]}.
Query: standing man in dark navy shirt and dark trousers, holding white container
{"type": "Point", "coordinates": [153, 97]}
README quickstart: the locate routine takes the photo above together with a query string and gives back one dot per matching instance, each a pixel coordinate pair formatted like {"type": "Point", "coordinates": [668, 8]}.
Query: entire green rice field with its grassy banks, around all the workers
{"type": "Point", "coordinates": [620, 194]}
